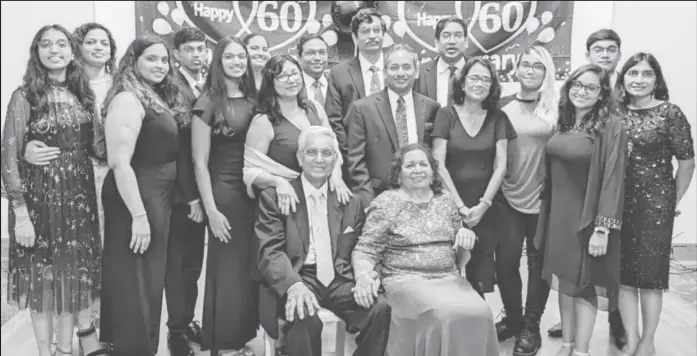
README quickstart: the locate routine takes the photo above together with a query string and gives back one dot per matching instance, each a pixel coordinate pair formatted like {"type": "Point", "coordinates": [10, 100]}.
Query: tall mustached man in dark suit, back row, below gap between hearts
{"type": "Point", "coordinates": [359, 76]}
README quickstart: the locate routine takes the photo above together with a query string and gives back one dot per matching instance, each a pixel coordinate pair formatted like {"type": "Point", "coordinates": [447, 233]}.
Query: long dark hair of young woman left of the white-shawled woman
{"type": "Point", "coordinates": [224, 113]}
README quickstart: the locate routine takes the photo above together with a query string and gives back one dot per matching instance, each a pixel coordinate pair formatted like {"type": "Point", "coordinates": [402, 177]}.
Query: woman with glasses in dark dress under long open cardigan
{"type": "Point", "coordinates": [582, 203]}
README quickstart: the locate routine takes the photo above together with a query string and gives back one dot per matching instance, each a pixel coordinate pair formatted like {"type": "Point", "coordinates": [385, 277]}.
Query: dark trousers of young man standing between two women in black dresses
{"type": "Point", "coordinates": [184, 264]}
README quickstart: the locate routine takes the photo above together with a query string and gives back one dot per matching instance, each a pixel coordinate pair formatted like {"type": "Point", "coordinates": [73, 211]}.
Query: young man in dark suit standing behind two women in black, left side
{"type": "Point", "coordinates": [187, 230]}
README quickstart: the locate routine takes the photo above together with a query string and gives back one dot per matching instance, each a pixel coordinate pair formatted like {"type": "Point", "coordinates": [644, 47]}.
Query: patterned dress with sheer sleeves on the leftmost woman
{"type": "Point", "coordinates": [61, 272]}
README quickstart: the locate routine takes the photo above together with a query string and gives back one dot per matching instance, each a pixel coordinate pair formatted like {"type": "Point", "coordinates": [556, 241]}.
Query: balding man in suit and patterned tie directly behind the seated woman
{"type": "Point", "coordinates": [382, 123]}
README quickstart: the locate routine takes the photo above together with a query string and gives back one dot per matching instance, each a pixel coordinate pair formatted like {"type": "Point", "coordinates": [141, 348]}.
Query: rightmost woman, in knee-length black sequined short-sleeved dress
{"type": "Point", "coordinates": [658, 131]}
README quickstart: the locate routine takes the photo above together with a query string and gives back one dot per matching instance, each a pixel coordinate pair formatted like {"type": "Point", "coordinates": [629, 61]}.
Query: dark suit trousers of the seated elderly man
{"type": "Point", "coordinates": [304, 337]}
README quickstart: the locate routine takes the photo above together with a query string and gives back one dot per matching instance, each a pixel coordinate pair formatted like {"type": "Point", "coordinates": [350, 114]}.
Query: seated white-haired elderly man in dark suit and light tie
{"type": "Point", "coordinates": [304, 258]}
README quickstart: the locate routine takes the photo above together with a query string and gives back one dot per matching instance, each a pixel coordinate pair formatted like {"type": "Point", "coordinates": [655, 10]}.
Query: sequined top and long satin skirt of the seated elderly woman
{"type": "Point", "coordinates": [435, 311]}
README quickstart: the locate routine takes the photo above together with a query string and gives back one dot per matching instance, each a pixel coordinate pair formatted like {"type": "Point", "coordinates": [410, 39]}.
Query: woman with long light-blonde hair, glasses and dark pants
{"type": "Point", "coordinates": [533, 113]}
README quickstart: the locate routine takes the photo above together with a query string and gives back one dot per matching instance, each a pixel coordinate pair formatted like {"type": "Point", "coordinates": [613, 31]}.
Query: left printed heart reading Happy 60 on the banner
{"type": "Point", "coordinates": [281, 22]}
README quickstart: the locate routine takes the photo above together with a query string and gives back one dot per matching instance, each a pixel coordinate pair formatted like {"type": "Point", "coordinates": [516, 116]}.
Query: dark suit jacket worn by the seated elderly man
{"type": "Point", "coordinates": [284, 241]}
